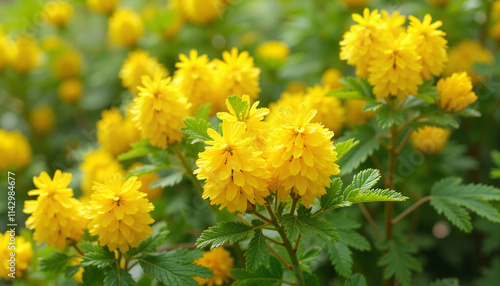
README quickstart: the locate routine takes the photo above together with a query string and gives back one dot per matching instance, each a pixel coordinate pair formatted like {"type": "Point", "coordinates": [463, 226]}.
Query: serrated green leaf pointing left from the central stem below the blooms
{"type": "Point", "coordinates": [218, 235]}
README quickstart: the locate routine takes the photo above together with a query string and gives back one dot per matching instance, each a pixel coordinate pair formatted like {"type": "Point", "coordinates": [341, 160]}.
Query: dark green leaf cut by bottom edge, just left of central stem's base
{"type": "Point", "coordinates": [263, 276]}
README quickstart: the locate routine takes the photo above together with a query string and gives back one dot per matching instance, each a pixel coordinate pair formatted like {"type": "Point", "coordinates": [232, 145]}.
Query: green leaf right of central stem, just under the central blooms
{"type": "Point", "coordinates": [305, 224]}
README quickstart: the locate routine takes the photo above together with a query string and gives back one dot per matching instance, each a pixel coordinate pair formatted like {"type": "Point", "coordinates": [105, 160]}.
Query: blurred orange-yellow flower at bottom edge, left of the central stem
{"type": "Point", "coordinates": [220, 262]}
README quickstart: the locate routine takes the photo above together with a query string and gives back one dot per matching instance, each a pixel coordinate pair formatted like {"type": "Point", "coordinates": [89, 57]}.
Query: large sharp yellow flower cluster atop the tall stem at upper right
{"type": "Point", "coordinates": [394, 60]}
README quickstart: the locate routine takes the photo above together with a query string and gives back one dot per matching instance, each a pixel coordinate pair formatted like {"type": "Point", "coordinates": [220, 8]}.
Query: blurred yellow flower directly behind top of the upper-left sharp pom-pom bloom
{"type": "Point", "coordinates": [137, 65]}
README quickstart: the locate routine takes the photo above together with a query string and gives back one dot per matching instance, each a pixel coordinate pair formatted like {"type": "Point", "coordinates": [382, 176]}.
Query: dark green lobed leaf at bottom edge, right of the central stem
{"type": "Point", "coordinates": [398, 261]}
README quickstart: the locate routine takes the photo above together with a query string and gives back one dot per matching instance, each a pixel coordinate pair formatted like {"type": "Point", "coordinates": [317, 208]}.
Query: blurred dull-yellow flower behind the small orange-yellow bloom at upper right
{"type": "Point", "coordinates": [464, 55]}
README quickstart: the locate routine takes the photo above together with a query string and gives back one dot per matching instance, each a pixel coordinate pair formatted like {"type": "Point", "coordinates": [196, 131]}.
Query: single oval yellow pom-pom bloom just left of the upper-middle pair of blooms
{"type": "Point", "coordinates": [160, 110]}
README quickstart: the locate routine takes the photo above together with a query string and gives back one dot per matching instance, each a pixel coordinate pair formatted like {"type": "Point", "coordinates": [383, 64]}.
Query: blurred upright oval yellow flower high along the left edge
{"type": "Point", "coordinates": [26, 54]}
